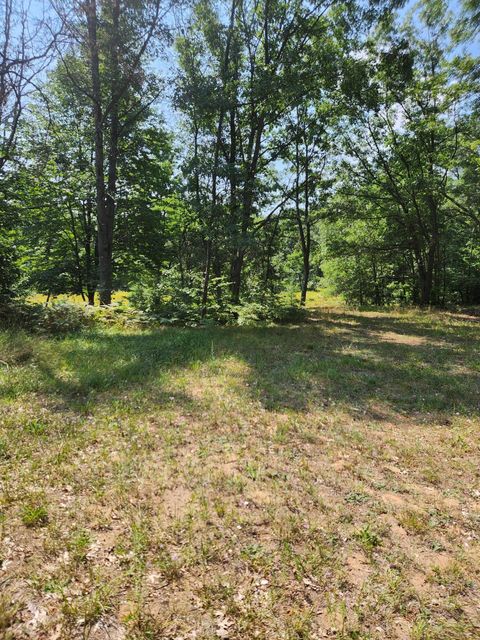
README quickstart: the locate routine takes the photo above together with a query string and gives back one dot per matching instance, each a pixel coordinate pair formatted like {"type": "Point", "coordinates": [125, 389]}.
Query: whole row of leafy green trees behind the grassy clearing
{"type": "Point", "coordinates": [305, 142]}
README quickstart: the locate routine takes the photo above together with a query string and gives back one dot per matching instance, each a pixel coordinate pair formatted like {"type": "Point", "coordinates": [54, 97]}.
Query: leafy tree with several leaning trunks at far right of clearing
{"type": "Point", "coordinates": [405, 147]}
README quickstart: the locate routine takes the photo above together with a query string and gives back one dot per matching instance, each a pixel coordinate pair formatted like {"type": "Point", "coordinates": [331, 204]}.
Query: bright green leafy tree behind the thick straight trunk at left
{"type": "Point", "coordinates": [57, 196]}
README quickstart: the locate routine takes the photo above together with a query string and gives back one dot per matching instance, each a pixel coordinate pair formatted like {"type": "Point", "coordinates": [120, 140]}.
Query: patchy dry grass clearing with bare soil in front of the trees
{"type": "Point", "coordinates": [280, 483]}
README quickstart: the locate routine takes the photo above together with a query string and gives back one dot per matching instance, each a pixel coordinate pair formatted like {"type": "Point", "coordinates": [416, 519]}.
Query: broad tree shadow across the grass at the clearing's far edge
{"type": "Point", "coordinates": [379, 363]}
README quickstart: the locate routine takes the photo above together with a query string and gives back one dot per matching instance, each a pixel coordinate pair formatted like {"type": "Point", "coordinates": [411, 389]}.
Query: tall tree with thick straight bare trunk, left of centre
{"type": "Point", "coordinates": [111, 40]}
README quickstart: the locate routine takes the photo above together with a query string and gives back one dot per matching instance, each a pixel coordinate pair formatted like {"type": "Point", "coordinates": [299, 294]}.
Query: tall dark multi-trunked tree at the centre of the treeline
{"type": "Point", "coordinates": [238, 82]}
